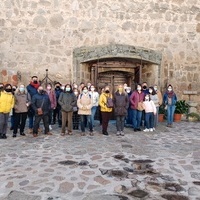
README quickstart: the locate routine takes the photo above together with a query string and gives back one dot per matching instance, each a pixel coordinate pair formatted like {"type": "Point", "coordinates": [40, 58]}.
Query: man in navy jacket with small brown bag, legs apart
{"type": "Point", "coordinates": [41, 106]}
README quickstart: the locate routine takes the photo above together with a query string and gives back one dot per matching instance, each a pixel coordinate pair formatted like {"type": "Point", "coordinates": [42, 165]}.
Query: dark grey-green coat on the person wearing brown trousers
{"type": "Point", "coordinates": [67, 101]}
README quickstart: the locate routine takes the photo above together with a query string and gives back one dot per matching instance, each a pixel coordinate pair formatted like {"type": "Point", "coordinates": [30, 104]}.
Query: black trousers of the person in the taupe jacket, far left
{"type": "Point", "coordinates": [20, 120]}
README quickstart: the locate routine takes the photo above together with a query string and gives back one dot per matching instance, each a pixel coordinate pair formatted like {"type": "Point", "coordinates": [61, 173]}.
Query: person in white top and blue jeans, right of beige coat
{"type": "Point", "coordinates": [95, 102]}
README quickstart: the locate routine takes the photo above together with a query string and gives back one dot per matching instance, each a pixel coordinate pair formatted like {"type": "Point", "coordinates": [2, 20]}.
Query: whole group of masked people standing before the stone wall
{"type": "Point", "coordinates": [74, 105]}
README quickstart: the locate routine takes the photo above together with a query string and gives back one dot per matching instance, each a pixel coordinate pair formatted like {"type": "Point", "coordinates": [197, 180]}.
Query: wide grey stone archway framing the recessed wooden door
{"type": "Point", "coordinates": [89, 63]}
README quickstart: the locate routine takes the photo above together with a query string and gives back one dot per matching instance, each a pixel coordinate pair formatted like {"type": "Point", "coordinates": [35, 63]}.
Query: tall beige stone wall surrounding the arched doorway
{"type": "Point", "coordinates": [41, 34]}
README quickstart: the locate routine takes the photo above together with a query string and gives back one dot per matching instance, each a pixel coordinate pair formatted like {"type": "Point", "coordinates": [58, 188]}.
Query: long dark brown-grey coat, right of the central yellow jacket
{"type": "Point", "coordinates": [121, 104]}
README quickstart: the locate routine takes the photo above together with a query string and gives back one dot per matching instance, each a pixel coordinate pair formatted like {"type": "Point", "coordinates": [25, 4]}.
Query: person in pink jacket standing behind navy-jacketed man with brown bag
{"type": "Point", "coordinates": [52, 97]}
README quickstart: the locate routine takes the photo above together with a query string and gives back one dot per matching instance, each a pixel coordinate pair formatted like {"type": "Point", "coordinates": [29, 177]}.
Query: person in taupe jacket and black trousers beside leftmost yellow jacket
{"type": "Point", "coordinates": [22, 102]}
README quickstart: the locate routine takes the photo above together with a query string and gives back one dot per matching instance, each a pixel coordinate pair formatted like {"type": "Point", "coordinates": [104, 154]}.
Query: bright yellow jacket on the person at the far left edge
{"type": "Point", "coordinates": [6, 102]}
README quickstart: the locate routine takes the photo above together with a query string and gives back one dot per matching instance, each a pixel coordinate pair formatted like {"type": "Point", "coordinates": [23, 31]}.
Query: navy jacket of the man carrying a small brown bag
{"type": "Point", "coordinates": [41, 101]}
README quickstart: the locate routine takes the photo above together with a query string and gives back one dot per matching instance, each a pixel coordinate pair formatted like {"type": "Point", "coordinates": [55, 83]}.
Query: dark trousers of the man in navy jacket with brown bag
{"type": "Point", "coordinates": [38, 118]}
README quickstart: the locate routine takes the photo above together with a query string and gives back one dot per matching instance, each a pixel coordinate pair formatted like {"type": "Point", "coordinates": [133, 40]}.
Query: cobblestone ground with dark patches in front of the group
{"type": "Point", "coordinates": [164, 164]}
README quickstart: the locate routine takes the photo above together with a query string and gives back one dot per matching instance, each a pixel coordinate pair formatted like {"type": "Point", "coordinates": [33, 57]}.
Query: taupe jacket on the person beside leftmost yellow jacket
{"type": "Point", "coordinates": [22, 101]}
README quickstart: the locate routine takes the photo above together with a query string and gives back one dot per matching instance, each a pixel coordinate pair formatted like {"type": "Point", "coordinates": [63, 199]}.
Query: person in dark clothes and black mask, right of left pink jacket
{"type": "Point", "coordinates": [57, 110]}
